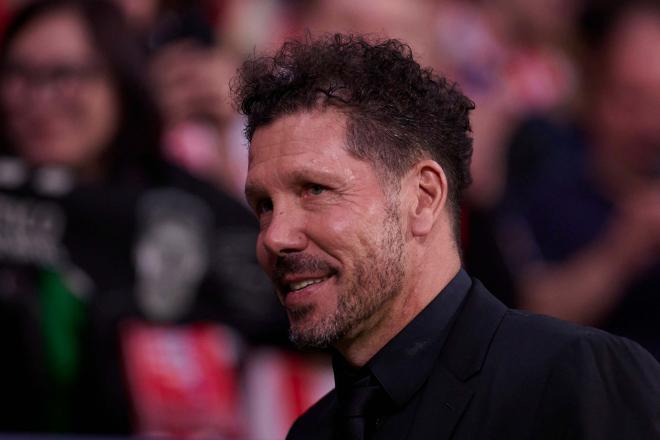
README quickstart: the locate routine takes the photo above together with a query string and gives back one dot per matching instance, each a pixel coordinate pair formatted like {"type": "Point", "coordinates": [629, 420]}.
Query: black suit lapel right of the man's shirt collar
{"type": "Point", "coordinates": [449, 389]}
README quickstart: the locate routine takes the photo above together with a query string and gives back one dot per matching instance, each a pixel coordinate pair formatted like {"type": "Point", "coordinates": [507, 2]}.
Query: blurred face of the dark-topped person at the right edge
{"type": "Point", "coordinates": [626, 111]}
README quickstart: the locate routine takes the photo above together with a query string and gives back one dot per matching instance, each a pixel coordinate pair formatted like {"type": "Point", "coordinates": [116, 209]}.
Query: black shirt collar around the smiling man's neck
{"type": "Point", "coordinates": [411, 353]}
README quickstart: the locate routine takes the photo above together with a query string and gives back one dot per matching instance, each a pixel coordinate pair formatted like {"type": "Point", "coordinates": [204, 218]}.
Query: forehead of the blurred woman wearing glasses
{"type": "Point", "coordinates": [59, 35]}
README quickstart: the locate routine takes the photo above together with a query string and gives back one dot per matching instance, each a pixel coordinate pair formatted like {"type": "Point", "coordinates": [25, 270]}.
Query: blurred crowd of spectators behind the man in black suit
{"type": "Point", "coordinates": [131, 303]}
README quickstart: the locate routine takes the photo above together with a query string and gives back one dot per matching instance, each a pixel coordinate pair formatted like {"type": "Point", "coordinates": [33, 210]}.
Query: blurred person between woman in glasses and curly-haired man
{"type": "Point", "coordinates": [190, 65]}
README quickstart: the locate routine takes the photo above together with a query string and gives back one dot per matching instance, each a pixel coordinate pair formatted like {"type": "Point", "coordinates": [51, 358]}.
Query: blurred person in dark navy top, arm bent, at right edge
{"type": "Point", "coordinates": [579, 226]}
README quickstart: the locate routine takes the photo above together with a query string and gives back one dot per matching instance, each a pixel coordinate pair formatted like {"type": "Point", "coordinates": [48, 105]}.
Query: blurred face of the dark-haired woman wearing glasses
{"type": "Point", "coordinates": [59, 100]}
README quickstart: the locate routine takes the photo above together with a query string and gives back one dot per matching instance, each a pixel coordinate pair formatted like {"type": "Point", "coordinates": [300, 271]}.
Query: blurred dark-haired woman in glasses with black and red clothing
{"type": "Point", "coordinates": [112, 260]}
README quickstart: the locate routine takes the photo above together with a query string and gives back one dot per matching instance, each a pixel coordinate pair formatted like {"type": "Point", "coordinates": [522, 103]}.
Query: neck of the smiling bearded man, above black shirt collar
{"type": "Point", "coordinates": [424, 282]}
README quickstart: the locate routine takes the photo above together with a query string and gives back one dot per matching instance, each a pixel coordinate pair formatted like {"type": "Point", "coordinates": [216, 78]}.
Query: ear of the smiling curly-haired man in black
{"type": "Point", "coordinates": [430, 196]}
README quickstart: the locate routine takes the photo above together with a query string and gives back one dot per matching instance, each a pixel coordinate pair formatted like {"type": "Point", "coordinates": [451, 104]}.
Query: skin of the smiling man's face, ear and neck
{"type": "Point", "coordinates": [325, 215]}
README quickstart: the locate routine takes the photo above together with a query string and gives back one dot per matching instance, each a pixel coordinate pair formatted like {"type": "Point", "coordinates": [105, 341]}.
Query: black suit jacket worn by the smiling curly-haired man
{"type": "Point", "coordinates": [506, 374]}
